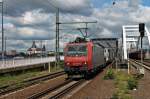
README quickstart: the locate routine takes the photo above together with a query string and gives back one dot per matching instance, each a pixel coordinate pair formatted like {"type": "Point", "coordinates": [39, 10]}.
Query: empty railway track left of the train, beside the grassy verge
{"type": "Point", "coordinates": [28, 82]}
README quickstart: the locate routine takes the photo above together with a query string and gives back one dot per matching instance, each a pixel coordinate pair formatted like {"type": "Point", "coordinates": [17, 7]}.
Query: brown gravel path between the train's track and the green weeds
{"type": "Point", "coordinates": [96, 89]}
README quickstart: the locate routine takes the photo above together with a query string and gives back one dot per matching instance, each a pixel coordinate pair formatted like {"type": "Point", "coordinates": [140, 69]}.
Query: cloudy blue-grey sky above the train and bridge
{"type": "Point", "coordinates": [28, 20]}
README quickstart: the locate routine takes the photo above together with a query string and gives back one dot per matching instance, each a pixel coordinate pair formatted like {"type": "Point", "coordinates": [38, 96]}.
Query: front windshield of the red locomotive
{"type": "Point", "coordinates": [77, 50]}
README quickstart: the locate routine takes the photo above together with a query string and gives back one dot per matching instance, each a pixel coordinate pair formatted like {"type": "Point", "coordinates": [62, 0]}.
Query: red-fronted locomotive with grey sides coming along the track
{"type": "Point", "coordinates": [84, 58]}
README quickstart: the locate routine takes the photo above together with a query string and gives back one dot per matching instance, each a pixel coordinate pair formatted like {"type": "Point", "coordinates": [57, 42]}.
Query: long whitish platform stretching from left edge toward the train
{"type": "Point", "coordinates": [12, 65]}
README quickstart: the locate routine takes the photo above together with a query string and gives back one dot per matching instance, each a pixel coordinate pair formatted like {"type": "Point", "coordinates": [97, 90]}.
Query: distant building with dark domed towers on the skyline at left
{"type": "Point", "coordinates": [33, 50]}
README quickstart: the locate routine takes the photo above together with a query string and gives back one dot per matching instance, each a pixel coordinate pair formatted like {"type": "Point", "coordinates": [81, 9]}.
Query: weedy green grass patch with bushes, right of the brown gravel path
{"type": "Point", "coordinates": [123, 82]}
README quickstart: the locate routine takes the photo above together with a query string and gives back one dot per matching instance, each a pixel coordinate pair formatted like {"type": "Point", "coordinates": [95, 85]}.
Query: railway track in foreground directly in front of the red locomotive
{"type": "Point", "coordinates": [58, 91]}
